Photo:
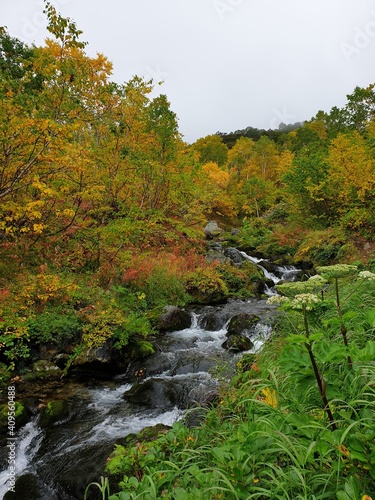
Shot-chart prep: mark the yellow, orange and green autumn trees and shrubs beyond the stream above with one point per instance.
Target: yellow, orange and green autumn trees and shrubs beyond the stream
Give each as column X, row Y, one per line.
column 103, row 204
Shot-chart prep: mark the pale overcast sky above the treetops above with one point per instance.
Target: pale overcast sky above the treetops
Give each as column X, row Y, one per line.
column 226, row 64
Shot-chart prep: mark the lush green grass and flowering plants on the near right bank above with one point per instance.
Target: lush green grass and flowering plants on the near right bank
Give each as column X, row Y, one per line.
column 270, row 436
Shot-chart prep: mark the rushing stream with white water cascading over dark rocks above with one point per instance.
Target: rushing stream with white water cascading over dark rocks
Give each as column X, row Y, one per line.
column 57, row 463
